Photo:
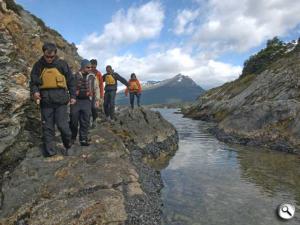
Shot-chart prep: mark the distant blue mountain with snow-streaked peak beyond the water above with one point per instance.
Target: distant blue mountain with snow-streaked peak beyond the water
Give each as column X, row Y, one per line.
column 177, row 89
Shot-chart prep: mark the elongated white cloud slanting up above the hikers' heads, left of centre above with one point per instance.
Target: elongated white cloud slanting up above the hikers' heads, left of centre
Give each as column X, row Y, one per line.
column 137, row 23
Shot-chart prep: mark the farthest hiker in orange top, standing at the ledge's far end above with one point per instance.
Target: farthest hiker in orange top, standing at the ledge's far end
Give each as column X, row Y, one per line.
column 134, row 88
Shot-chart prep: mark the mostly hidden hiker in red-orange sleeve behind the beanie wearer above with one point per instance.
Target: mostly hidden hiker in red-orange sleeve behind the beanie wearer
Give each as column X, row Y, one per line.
column 98, row 75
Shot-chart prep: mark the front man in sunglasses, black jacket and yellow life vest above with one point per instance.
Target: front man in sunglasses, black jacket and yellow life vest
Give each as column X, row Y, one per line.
column 52, row 86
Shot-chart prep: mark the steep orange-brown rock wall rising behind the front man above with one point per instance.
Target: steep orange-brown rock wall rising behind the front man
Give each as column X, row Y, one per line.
column 21, row 38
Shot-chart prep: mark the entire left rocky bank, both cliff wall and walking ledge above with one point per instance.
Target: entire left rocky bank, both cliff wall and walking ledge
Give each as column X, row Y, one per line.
column 105, row 183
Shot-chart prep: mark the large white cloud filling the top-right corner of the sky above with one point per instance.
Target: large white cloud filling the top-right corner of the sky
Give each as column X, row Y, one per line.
column 238, row 25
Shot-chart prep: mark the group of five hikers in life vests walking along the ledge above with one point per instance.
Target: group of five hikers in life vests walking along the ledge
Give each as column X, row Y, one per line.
column 53, row 86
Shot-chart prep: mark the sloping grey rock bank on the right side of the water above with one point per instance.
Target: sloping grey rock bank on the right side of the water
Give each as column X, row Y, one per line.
column 257, row 109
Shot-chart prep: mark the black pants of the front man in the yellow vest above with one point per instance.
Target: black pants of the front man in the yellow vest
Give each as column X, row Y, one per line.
column 56, row 114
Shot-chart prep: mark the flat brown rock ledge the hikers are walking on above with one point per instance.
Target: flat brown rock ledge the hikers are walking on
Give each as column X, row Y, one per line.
column 104, row 183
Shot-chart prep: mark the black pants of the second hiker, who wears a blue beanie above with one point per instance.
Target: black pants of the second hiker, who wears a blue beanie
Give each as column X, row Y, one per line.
column 80, row 115
